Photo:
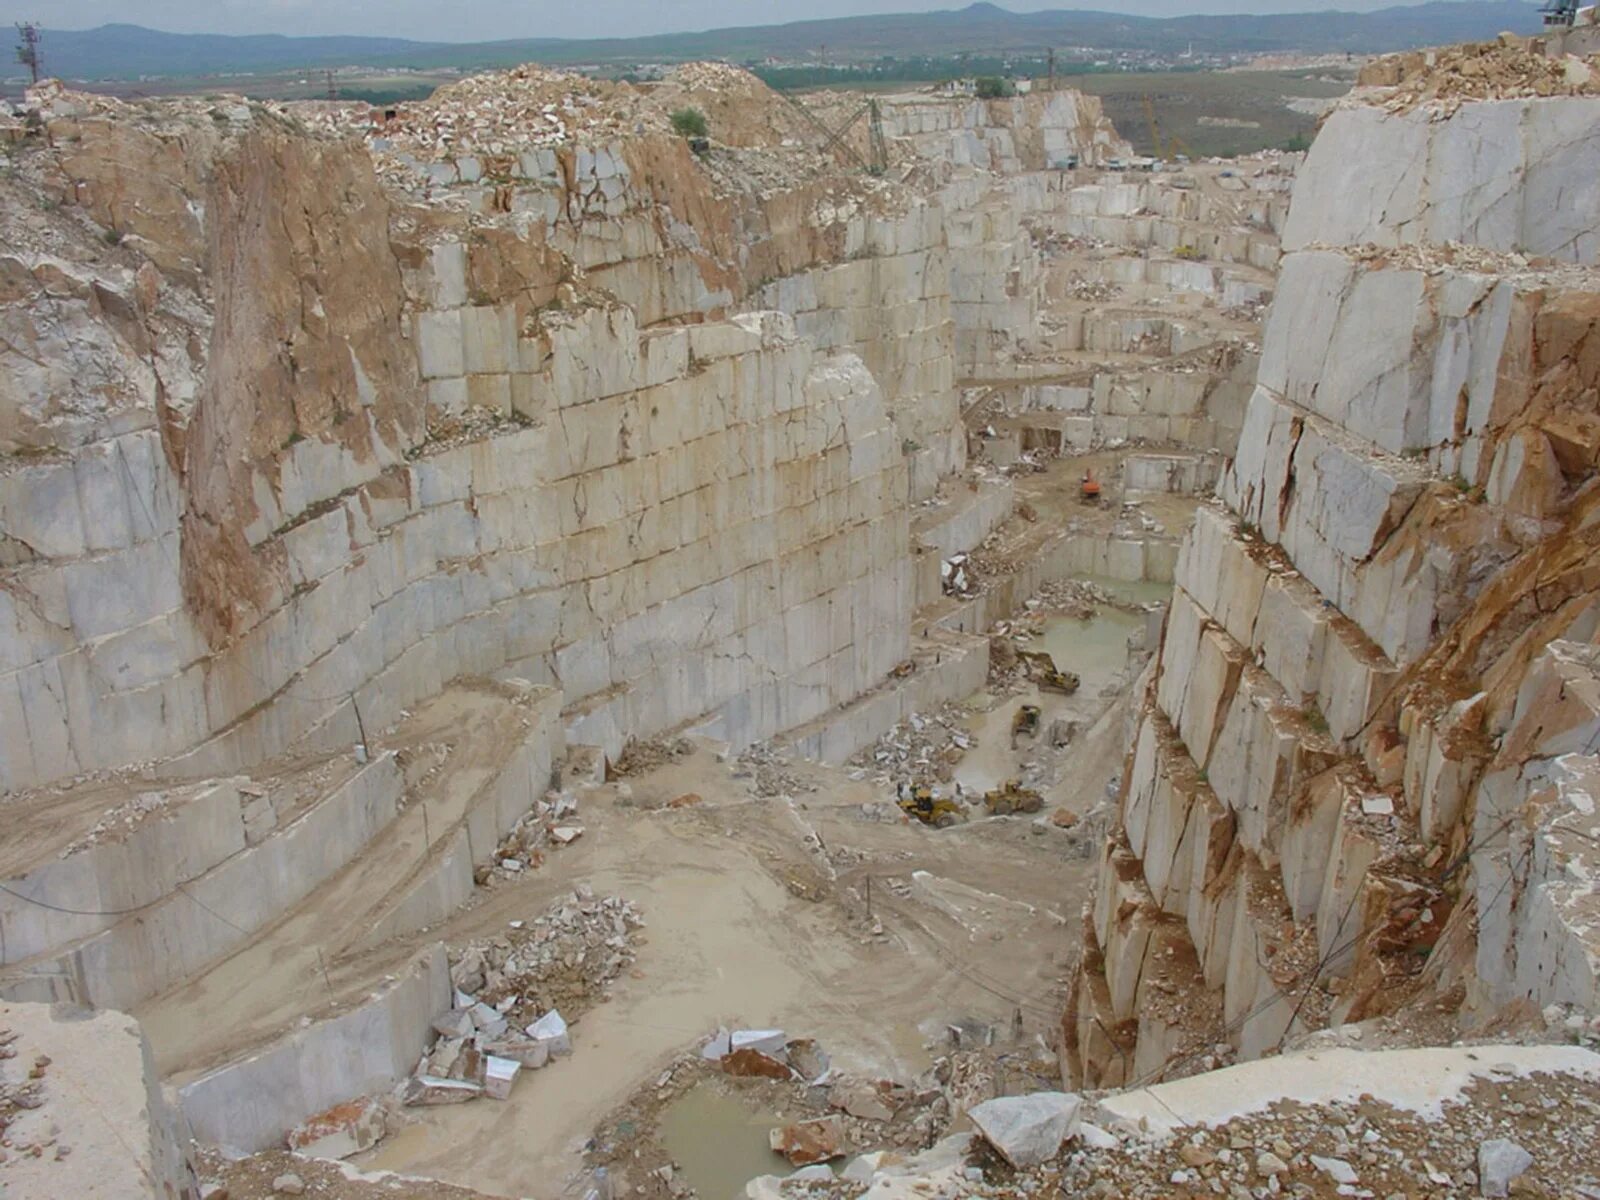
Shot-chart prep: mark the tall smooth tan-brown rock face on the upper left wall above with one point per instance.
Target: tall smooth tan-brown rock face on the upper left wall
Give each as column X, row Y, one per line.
column 308, row 343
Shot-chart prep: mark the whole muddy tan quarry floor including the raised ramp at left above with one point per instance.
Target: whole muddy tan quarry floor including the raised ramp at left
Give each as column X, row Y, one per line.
column 810, row 905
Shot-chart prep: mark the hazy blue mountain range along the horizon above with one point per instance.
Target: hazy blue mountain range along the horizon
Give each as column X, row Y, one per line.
column 132, row 52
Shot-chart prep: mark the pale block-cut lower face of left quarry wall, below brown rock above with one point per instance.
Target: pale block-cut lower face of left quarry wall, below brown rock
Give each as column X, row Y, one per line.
column 679, row 522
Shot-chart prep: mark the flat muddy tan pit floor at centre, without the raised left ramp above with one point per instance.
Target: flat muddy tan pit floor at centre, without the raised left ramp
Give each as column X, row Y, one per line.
column 751, row 924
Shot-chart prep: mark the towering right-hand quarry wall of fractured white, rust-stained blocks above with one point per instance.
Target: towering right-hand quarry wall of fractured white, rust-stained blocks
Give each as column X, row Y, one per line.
column 1337, row 775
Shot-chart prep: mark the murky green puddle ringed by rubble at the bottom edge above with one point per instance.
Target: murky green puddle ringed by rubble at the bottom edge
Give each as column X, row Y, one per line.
column 719, row 1142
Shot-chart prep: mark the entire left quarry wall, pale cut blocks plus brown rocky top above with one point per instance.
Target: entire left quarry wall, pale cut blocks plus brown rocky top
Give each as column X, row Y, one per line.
column 585, row 414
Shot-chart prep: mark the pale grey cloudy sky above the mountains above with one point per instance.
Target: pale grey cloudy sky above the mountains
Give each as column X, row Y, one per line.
column 489, row 20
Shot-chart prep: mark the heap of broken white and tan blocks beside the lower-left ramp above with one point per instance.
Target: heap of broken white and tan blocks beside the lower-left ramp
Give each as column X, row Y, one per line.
column 511, row 993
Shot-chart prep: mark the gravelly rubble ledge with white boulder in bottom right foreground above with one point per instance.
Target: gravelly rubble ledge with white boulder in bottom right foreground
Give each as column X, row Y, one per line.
column 1513, row 1134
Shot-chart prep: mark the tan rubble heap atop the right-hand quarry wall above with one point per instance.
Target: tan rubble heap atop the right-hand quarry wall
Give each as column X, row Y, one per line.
column 1505, row 70
